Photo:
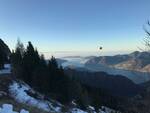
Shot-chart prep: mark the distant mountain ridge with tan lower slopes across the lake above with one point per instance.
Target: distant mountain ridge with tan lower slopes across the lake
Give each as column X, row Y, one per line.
column 136, row 61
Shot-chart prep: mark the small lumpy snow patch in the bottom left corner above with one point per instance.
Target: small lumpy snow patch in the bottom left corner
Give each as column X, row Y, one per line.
column 8, row 108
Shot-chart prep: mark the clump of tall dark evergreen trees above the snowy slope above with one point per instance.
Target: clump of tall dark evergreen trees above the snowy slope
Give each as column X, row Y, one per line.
column 48, row 78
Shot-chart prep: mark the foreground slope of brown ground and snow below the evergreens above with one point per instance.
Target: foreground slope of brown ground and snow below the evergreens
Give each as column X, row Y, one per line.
column 21, row 96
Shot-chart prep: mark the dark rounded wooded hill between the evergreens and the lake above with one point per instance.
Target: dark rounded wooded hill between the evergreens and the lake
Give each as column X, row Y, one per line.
column 116, row 85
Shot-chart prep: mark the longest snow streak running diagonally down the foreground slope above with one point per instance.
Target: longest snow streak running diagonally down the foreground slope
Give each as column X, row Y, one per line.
column 19, row 92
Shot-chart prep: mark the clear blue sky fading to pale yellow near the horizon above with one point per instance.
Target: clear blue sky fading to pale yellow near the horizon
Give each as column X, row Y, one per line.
column 75, row 27
